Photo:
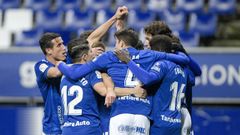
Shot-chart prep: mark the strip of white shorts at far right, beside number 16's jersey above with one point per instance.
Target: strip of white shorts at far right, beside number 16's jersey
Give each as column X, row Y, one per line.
column 186, row 121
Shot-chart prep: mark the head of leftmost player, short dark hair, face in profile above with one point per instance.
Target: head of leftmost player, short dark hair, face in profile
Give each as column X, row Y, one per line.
column 52, row 46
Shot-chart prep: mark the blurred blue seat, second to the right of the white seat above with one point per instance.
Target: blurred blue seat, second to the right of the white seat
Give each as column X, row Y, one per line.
column 76, row 19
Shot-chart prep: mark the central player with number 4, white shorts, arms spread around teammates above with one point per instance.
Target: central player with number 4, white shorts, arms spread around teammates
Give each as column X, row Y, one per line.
column 134, row 118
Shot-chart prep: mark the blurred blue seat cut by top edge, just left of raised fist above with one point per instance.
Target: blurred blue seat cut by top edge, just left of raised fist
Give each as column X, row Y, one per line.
column 97, row 5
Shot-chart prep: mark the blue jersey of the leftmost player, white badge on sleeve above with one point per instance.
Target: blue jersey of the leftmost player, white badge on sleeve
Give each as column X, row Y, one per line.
column 50, row 90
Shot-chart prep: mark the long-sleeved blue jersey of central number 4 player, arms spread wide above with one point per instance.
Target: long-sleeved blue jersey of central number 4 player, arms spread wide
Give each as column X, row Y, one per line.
column 122, row 76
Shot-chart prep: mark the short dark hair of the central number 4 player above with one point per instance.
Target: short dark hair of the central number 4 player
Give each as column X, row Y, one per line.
column 129, row 36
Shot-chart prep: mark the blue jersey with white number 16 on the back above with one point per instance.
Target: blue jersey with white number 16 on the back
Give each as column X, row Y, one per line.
column 168, row 98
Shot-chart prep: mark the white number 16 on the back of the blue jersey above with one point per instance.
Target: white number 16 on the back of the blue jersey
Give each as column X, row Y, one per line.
column 177, row 96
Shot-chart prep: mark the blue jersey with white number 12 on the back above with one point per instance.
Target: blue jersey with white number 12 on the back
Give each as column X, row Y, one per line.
column 81, row 115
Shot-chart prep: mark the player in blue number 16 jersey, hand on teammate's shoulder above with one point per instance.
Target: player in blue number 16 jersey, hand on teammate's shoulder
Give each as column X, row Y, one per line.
column 170, row 79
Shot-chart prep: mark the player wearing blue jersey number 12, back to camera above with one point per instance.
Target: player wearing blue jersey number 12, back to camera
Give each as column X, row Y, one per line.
column 81, row 114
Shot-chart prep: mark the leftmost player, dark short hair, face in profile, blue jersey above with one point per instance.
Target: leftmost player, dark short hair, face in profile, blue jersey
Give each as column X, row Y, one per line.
column 48, row 80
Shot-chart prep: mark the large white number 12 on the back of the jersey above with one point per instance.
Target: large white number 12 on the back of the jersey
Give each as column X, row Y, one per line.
column 69, row 108
